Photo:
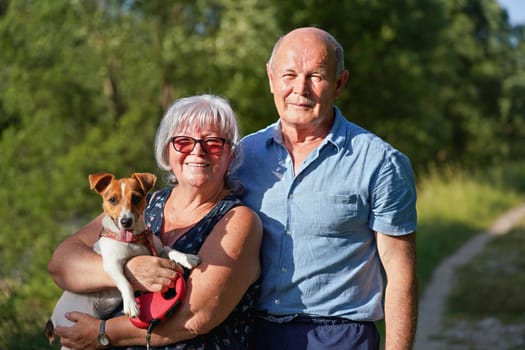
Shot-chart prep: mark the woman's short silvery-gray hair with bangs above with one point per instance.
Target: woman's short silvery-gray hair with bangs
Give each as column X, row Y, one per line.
column 199, row 111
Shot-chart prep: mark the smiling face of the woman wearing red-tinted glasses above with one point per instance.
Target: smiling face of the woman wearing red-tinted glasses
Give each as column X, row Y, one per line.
column 199, row 168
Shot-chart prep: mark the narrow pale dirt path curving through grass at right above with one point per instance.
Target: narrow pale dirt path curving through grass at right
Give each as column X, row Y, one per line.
column 432, row 304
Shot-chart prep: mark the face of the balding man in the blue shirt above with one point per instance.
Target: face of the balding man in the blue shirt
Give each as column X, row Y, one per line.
column 303, row 80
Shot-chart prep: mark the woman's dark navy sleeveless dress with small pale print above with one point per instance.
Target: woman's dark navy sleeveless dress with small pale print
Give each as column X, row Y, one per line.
column 236, row 331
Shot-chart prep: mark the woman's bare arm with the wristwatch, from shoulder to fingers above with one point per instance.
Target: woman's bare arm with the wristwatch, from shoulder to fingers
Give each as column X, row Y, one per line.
column 230, row 264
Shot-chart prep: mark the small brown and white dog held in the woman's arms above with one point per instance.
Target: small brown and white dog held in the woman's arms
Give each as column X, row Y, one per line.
column 123, row 237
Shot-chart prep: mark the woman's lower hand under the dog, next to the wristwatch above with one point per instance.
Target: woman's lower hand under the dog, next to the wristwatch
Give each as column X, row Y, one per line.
column 82, row 335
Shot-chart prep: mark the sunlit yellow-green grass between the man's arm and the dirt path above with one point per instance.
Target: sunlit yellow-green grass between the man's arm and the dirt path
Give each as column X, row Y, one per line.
column 453, row 205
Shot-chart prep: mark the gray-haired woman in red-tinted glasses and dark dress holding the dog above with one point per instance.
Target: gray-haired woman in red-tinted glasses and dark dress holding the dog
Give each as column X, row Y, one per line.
column 197, row 213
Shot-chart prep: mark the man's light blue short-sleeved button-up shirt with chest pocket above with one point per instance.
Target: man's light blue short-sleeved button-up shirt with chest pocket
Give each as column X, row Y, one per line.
column 319, row 254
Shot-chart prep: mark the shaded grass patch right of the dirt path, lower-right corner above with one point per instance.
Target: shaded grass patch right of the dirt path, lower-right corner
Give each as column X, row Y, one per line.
column 486, row 308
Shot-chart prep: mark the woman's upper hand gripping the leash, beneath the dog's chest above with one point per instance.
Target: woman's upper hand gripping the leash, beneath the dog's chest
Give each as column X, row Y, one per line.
column 151, row 273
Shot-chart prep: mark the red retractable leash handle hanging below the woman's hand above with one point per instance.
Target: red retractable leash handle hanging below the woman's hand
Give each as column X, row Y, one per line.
column 155, row 307
